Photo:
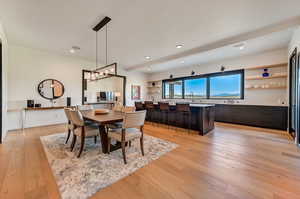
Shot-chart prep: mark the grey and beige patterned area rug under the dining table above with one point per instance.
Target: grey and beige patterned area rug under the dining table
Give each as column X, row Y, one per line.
column 82, row 177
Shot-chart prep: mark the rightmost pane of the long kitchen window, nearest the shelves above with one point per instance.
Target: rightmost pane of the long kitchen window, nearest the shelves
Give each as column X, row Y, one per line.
column 226, row 86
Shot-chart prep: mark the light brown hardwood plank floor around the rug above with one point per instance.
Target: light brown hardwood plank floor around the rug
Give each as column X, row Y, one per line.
column 231, row 162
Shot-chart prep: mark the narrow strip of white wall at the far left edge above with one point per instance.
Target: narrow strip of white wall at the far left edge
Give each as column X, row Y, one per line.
column 4, row 42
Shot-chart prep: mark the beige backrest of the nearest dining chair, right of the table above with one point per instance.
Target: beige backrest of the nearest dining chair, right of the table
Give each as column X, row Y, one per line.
column 134, row 119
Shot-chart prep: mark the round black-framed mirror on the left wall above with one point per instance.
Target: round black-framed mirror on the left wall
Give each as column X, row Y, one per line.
column 51, row 89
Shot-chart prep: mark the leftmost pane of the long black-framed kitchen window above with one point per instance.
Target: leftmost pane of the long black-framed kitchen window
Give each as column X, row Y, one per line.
column 173, row 89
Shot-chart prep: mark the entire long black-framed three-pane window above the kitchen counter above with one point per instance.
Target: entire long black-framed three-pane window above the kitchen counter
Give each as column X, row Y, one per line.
column 223, row 85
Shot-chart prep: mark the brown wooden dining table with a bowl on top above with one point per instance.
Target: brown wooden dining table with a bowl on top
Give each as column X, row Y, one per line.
column 102, row 120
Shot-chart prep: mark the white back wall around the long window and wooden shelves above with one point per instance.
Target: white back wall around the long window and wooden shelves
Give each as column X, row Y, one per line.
column 274, row 97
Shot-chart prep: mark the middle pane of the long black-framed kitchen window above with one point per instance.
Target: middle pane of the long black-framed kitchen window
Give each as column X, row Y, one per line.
column 195, row 88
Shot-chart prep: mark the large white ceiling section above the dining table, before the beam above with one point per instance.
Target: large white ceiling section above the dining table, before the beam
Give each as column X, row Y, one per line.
column 140, row 28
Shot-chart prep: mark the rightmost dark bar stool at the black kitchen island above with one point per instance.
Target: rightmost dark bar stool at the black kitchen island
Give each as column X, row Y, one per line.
column 184, row 113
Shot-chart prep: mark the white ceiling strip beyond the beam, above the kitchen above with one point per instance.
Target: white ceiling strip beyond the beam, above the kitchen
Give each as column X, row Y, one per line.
column 269, row 42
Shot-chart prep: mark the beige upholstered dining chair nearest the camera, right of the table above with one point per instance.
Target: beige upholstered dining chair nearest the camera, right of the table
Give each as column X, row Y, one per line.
column 132, row 128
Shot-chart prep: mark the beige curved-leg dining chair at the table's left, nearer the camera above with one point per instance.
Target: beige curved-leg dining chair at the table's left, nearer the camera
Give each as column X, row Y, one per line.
column 81, row 130
